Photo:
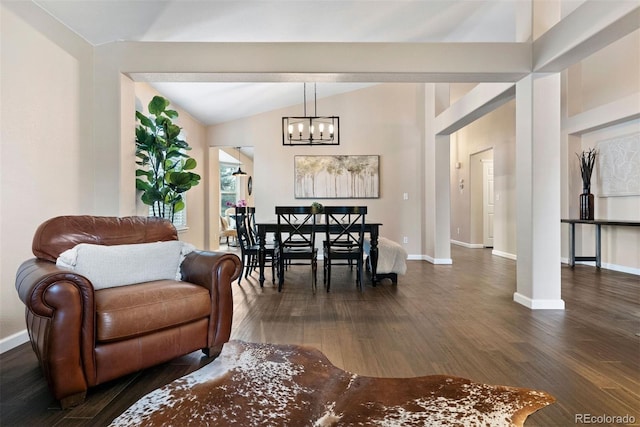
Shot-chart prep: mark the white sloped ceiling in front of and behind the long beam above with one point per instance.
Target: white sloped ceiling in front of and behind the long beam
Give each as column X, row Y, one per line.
column 105, row 21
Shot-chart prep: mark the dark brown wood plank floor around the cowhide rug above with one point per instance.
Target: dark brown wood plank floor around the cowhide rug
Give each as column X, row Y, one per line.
column 457, row 320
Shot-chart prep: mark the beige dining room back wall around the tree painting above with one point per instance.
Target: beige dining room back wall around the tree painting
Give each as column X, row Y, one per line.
column 381, row 120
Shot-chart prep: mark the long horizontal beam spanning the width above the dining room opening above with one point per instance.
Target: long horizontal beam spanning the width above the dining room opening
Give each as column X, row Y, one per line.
column 352, row 62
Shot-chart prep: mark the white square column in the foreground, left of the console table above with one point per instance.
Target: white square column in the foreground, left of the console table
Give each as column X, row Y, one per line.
column 538, row 157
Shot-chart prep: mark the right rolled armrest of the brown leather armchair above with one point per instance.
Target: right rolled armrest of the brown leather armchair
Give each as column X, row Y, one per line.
column 215, row 271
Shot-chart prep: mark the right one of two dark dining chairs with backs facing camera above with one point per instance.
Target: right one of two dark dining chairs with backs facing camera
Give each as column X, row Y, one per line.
column 344, row 239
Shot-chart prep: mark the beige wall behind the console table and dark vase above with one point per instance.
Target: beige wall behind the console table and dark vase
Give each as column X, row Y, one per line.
column 595, row 85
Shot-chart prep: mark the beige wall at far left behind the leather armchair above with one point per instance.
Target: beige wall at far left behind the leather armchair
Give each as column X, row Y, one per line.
column 45, row 167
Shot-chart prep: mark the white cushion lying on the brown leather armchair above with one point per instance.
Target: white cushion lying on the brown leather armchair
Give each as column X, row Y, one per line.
column 121, row 265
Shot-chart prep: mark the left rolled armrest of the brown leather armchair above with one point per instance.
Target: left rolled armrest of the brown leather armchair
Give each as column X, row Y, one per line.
column 60, row 316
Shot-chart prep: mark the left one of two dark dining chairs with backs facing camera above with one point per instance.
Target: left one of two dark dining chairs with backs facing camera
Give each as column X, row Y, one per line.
column 296, row 240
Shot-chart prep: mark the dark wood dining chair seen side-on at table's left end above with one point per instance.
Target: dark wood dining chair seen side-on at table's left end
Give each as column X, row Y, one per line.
column 249, row 246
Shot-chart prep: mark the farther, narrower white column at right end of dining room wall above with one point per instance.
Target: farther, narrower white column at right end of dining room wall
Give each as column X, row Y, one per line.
column 437, row 206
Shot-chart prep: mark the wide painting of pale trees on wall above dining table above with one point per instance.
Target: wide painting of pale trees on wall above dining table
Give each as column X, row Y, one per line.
column 337, row 176
